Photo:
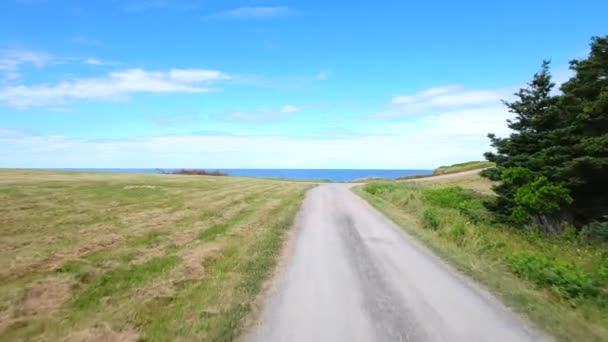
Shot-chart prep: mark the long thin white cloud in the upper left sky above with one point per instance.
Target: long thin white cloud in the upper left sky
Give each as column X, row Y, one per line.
column 115, row 86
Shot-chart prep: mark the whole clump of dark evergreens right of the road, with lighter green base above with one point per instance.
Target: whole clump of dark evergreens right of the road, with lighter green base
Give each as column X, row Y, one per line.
column 557, row 155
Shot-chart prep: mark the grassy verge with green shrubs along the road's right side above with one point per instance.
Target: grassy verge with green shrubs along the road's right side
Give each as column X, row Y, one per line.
column 559, row 283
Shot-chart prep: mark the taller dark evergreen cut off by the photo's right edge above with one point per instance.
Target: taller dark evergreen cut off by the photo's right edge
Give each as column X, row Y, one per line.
column 585, row 104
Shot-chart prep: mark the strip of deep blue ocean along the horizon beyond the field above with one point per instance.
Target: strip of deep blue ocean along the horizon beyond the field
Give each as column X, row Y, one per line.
column 333, row 175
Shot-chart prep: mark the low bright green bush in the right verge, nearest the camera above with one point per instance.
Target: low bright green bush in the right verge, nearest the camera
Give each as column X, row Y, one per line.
column 547, row 272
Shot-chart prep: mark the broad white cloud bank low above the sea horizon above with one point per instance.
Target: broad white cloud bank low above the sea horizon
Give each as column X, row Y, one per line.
column 448, row 137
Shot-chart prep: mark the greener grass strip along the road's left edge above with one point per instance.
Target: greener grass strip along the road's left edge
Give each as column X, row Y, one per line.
column 244, row 265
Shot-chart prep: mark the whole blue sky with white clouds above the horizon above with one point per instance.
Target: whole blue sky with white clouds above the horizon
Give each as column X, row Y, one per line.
column 271, row 84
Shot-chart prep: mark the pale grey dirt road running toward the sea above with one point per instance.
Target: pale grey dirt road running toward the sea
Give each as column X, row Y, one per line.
column 352, row 275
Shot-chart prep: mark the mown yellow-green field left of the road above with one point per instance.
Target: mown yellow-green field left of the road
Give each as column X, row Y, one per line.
column 86, row 256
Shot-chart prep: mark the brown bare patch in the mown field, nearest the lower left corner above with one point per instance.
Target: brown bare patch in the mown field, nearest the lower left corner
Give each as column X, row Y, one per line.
column 44, row 298
